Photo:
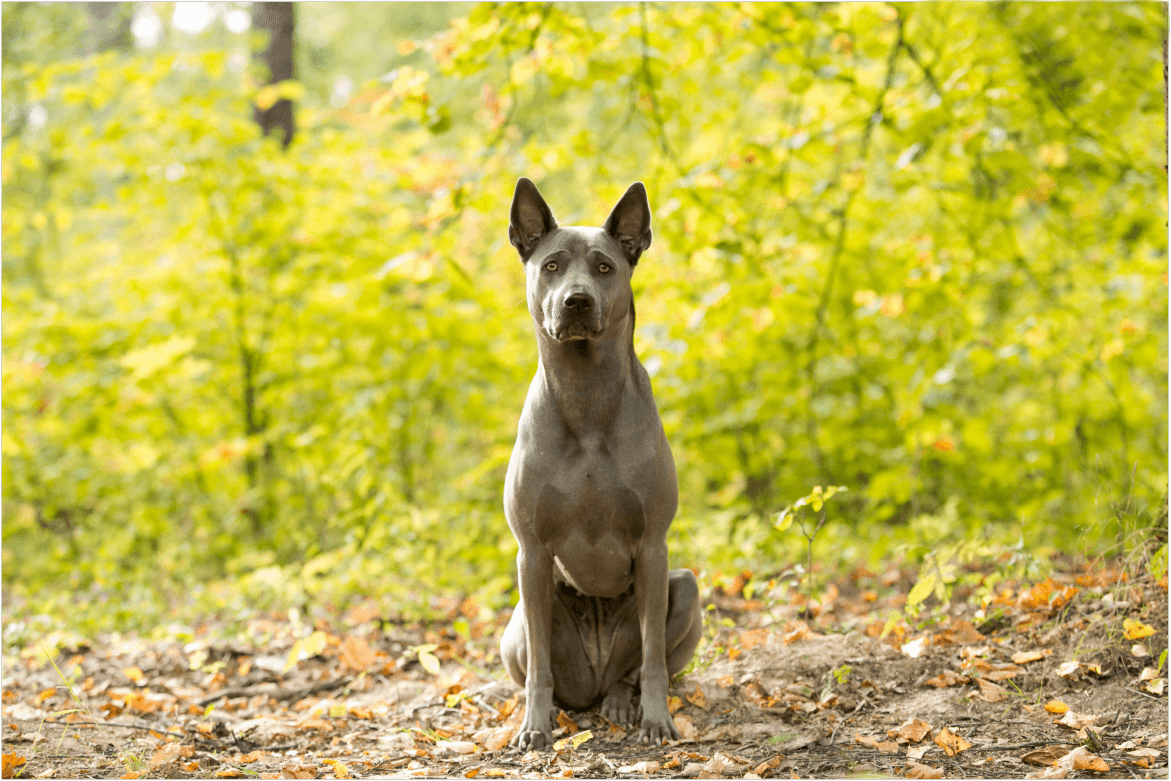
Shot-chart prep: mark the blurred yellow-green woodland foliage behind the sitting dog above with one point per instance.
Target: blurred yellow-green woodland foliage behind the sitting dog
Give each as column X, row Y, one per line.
column 265, row 341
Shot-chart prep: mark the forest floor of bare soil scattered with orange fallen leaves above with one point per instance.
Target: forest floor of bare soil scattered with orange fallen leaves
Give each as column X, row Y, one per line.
column 1062, row 679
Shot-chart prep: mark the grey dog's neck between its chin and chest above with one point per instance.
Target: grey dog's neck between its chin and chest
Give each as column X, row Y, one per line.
column 586, row 379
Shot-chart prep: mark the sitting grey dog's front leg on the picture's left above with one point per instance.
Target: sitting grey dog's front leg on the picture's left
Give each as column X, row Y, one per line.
column 536, row 579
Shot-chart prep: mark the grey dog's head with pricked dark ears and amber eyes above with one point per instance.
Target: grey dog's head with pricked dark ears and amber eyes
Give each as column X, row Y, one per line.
column 578, row 279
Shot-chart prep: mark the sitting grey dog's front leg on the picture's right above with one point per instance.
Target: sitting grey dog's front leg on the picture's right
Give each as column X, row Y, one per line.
column 652, row 592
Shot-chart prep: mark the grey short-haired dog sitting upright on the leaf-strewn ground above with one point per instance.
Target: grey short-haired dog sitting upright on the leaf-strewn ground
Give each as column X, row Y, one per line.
column 592, row 488
